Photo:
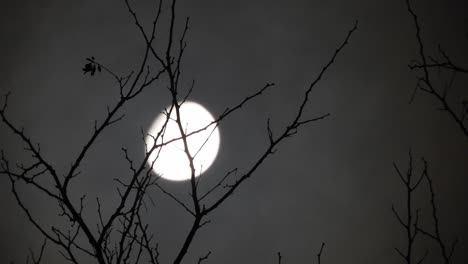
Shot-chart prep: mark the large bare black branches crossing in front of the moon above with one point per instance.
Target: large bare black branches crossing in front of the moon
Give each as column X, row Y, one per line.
column 123, row 235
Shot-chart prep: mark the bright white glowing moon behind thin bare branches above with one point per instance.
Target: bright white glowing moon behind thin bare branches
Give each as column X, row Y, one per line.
column 172, row 162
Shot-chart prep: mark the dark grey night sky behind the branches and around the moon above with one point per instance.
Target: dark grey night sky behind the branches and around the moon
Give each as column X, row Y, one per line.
column 333, row 182
